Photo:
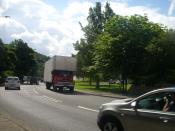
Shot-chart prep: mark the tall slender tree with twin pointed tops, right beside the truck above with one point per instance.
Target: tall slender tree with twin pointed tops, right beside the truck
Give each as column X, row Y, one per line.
column 85, row 47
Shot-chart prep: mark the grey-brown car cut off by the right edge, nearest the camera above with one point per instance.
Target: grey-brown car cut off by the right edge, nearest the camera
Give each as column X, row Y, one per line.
column 144, row 113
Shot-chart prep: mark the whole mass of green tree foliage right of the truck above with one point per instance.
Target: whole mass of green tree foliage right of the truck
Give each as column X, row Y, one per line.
column 126, row 47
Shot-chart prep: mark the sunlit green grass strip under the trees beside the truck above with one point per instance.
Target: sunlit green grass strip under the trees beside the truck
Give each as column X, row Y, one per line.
column 104, row 87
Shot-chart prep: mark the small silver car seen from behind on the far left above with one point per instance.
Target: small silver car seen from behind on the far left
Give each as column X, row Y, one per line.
column 12, row 82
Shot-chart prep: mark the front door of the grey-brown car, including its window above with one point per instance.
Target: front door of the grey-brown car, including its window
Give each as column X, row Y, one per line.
column 148, row 115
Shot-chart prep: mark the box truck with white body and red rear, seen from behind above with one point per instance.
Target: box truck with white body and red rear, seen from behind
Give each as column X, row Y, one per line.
column 59, row 72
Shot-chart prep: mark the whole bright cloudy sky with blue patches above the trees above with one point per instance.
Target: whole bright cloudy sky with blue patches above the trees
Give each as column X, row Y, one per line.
column 51, row 27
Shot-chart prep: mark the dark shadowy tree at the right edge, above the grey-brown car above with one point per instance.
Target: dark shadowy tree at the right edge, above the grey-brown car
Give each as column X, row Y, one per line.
column 161, row 59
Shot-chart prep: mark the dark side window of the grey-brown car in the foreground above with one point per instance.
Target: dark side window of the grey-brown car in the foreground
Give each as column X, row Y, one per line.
column 155, row 102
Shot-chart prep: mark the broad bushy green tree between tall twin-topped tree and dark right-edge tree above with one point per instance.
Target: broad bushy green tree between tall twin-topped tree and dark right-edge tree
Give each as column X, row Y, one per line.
column 122, row 47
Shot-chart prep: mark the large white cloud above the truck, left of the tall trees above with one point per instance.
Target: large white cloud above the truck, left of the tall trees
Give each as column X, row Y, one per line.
column 46, row 29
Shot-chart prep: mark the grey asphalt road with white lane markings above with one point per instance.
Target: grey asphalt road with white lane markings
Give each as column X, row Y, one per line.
column 36, row 109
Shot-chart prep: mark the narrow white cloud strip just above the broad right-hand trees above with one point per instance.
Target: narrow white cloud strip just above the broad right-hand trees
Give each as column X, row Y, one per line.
column 122, row 8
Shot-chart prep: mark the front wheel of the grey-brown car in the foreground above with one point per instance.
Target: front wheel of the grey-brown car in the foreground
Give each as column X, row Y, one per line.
column 110, row 125
